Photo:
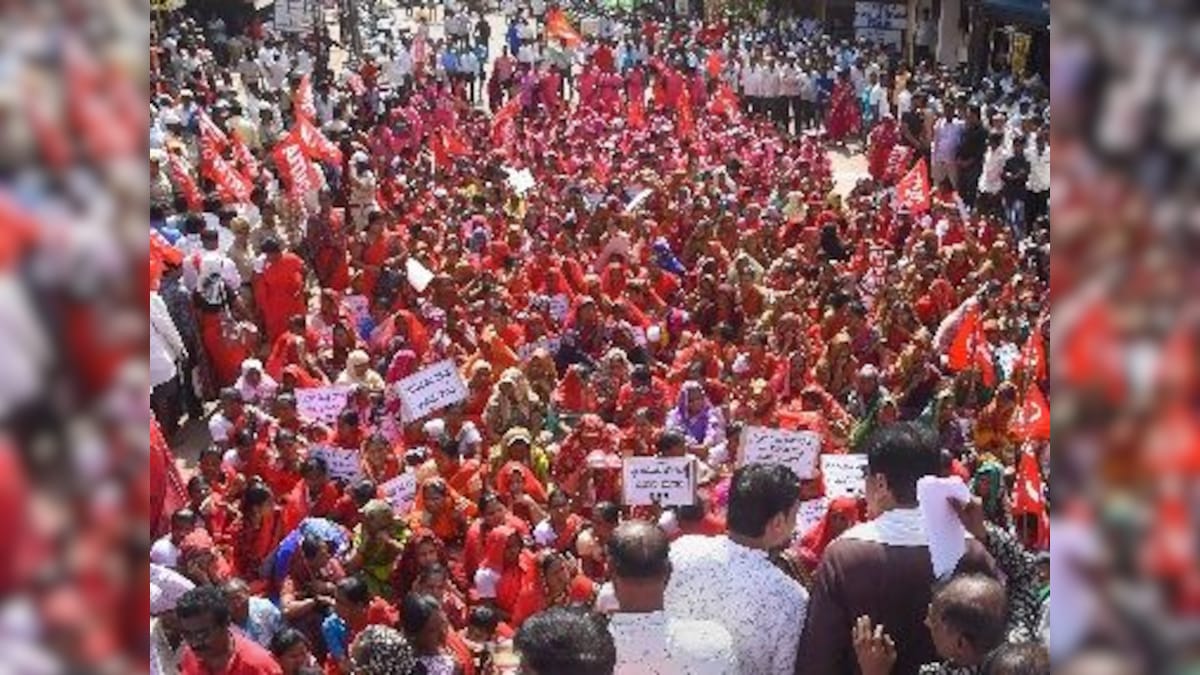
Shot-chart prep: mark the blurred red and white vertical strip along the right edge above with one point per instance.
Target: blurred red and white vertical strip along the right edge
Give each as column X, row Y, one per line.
column 1126, row 337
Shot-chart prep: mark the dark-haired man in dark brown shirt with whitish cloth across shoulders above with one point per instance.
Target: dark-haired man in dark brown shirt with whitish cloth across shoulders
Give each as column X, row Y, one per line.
column 881, row 569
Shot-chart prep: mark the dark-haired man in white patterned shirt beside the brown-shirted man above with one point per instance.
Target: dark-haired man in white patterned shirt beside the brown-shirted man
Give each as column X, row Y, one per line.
column 731, row 581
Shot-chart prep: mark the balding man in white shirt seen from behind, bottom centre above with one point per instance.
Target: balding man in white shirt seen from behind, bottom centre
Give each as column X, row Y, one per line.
column 649, row 641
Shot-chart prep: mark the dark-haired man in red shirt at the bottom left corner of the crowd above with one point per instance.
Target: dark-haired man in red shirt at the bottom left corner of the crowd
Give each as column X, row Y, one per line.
column 213, row 646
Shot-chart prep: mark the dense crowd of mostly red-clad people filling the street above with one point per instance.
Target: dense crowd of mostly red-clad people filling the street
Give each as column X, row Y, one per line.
column 627, row 240
